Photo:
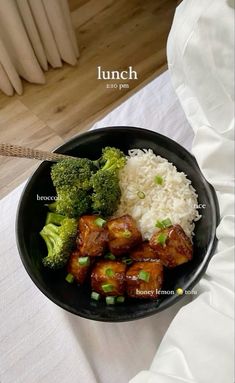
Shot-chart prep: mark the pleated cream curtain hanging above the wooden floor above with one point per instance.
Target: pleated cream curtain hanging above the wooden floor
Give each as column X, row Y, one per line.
column 33, row 34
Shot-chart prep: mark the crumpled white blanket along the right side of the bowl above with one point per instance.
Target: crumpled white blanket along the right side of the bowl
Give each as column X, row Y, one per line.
column 198, row 346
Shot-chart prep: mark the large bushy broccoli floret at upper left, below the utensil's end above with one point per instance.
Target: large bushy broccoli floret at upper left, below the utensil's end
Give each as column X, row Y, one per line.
column 71, row 179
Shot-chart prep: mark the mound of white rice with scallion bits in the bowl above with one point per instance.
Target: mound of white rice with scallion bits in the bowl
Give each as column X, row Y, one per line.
column 175, row 199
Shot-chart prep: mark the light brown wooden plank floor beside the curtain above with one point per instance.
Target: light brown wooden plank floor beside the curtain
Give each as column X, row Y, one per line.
column 113, row 34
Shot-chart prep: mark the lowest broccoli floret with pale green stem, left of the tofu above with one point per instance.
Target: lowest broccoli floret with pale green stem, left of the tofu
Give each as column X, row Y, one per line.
column 59, row 239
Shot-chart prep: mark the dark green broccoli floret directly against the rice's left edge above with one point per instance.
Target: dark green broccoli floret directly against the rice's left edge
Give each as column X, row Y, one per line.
column 106, row 192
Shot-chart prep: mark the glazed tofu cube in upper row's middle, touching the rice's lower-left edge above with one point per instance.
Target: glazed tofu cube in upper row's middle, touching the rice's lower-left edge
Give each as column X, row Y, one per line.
column 123, row 234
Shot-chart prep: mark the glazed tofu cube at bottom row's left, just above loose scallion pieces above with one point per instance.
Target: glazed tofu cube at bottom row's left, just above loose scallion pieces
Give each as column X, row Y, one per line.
column 108, row 278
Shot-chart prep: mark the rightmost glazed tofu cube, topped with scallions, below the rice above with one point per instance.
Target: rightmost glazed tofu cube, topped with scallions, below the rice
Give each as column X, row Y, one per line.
column 172, row 246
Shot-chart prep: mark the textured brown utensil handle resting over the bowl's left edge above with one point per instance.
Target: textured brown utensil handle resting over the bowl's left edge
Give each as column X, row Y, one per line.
column 21, row 151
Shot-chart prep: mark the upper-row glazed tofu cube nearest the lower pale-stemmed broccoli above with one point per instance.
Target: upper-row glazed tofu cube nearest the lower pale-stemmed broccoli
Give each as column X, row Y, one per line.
column 92, row 239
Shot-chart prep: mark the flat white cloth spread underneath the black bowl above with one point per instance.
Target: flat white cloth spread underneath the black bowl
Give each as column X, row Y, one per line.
column 40, row 342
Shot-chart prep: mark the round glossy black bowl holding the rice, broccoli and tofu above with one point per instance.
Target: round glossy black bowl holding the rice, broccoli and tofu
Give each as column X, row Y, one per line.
column 32, row 212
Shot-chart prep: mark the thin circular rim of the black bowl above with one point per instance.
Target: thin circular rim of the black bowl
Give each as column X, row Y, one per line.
column 173, row 299
